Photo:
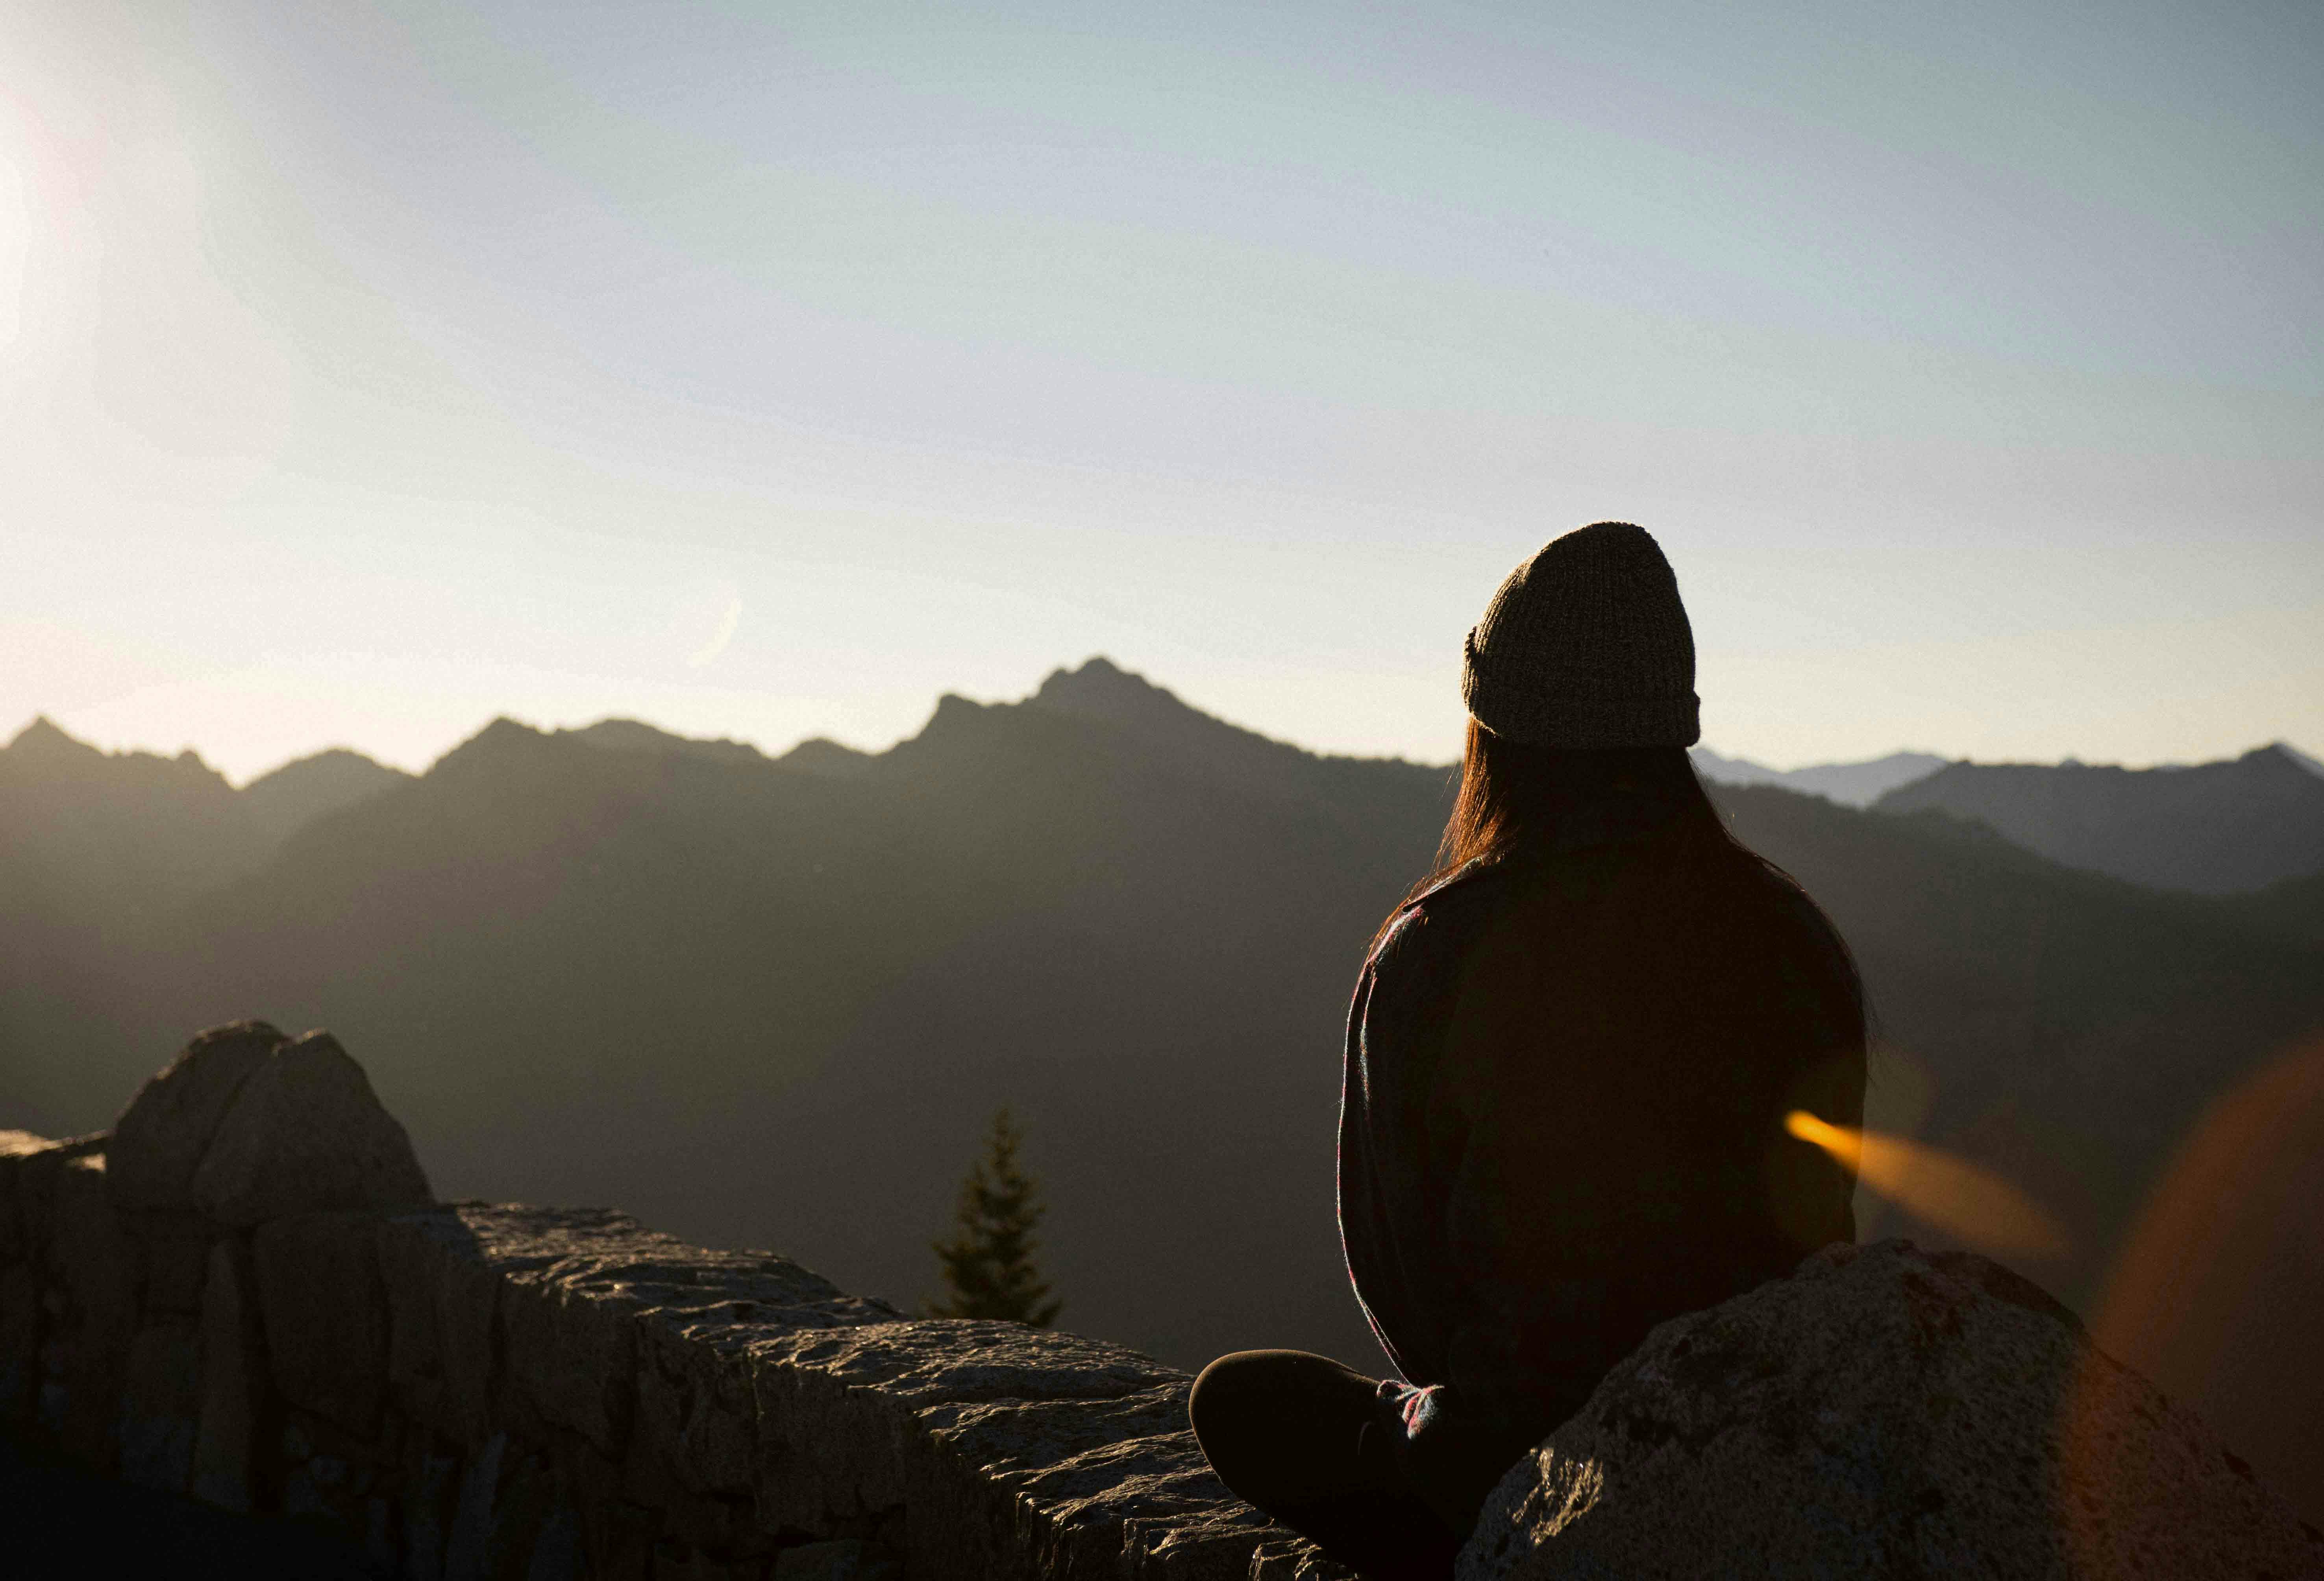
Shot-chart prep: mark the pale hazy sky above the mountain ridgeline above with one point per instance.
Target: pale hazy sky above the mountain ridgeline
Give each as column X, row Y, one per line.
column 768, row 371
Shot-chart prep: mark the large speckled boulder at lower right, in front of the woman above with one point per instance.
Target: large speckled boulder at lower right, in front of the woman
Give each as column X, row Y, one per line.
column 1884, row 1412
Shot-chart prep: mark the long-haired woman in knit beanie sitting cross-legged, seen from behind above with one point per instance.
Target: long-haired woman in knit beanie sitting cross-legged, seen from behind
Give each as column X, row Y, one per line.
column 1570, row 1064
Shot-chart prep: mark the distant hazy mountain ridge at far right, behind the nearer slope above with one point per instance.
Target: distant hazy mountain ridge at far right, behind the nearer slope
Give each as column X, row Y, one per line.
column 2214, row 829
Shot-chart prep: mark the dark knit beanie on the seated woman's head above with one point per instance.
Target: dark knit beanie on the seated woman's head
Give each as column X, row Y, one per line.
column 1586, row 645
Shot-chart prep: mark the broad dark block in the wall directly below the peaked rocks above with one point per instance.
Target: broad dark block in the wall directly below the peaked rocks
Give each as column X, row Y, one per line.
column 324, row 1315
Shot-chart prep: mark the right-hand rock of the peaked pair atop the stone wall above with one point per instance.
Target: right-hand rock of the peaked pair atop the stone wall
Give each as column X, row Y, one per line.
column 306, row 1136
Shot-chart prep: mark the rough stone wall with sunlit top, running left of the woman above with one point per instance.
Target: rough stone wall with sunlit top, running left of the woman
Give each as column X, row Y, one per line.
column 248, row 1296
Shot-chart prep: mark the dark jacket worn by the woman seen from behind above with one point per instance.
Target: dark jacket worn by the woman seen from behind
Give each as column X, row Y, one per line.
column 1563, row 1124
